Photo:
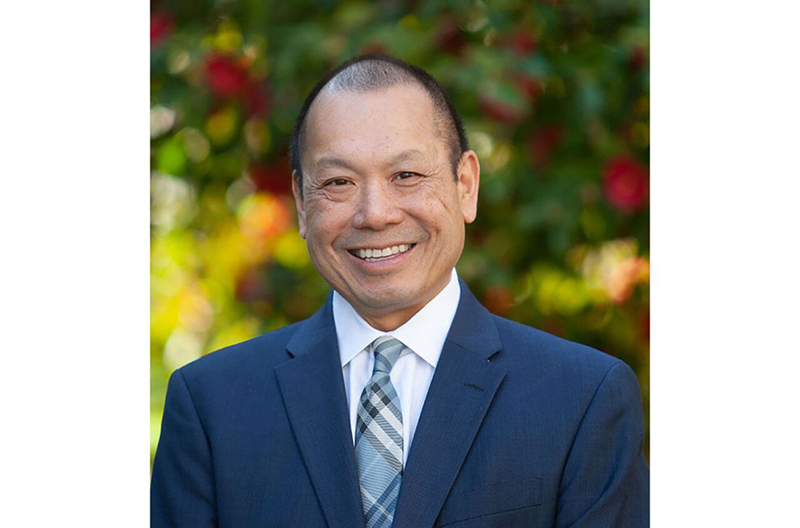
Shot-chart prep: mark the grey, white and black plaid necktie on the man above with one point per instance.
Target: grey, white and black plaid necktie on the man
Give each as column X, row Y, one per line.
column 379, row 437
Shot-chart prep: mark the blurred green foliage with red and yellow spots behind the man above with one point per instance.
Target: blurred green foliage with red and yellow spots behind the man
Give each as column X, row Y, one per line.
column 554, row 97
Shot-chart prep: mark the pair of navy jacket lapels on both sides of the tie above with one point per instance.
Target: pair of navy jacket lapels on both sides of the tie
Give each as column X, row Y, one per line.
column 463, row 386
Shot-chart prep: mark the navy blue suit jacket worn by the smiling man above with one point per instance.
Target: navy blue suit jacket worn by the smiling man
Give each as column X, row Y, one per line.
column 519, row 428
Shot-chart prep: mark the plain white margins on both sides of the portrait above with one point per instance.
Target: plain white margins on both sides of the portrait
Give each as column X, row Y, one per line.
column 75, row 287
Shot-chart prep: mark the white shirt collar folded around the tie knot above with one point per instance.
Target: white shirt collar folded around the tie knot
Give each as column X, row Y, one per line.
column 424, row 333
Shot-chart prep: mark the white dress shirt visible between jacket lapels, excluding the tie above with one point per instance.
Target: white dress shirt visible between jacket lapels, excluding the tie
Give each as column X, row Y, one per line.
column 423, row 335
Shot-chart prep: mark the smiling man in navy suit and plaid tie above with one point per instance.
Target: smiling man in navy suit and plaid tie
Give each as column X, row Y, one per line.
column 402, row 402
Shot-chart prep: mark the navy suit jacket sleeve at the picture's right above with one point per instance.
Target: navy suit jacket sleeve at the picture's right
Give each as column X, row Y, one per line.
column 606, row 481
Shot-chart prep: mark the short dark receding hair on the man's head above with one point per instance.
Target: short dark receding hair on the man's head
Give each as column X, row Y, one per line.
column 371, row 72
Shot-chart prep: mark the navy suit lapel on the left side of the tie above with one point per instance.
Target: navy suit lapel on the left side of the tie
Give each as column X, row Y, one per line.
column 313, row 393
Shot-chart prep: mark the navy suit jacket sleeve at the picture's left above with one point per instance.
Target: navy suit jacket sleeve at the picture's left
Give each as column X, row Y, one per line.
column 182, row 489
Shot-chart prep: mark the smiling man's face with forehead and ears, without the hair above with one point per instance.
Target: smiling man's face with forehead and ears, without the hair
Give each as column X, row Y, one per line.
column 381, row 212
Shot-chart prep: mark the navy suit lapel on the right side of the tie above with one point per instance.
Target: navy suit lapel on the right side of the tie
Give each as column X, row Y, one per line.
column 461, row 392
